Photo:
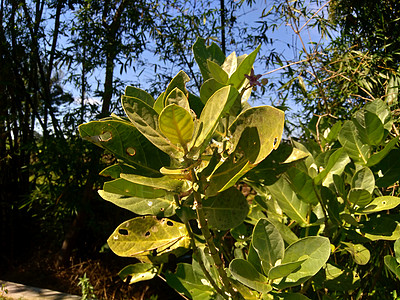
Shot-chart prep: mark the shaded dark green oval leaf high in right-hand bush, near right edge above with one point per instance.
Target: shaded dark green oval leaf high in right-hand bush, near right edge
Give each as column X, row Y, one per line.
column 369, row 127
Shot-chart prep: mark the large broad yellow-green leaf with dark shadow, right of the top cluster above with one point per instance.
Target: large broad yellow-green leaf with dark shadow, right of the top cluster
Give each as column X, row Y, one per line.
column 268, row 124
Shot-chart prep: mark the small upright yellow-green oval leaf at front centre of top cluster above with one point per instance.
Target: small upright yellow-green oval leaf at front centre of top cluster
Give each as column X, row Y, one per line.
column 176, row 124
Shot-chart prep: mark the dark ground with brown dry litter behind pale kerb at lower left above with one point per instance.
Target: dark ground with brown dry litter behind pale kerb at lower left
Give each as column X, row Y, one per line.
column 40, row 271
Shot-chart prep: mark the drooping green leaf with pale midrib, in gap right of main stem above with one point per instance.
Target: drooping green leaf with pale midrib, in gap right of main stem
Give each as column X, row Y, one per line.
column 291, row 205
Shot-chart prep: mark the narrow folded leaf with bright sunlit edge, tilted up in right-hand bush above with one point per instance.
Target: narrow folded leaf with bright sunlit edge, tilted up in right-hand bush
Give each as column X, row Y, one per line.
column 337, row 161
